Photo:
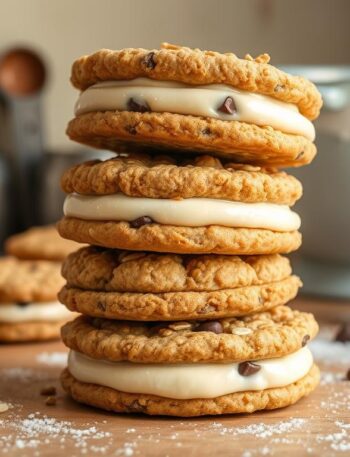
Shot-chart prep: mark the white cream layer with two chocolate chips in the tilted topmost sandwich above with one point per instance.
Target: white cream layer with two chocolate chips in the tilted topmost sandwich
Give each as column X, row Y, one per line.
column 174, row 97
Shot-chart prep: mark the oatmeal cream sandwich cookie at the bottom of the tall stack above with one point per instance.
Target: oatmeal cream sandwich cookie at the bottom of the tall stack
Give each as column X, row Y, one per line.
column 236, row 365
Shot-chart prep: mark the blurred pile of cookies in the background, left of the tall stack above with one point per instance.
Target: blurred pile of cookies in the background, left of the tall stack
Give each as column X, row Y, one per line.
column 29, row 283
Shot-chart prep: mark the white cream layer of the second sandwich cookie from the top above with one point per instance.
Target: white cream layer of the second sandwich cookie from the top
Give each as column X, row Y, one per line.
column 189, row 212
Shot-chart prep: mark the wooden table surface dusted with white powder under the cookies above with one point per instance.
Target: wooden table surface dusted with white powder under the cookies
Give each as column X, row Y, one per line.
column 317, row 425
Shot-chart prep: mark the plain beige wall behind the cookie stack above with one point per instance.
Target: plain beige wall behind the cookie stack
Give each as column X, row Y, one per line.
column 292, row 31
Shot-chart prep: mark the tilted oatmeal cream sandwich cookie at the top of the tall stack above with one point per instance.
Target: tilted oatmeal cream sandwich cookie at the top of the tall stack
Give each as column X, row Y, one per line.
column 183, row 99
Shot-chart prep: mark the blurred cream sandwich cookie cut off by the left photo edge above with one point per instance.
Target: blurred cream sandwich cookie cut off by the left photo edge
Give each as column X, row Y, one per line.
column 29, row 309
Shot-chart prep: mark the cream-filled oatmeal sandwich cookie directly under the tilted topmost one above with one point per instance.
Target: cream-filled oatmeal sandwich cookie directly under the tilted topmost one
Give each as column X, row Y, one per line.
column 201, row 206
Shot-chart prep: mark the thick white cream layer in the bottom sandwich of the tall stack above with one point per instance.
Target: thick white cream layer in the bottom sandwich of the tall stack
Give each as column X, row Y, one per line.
column 185, row 381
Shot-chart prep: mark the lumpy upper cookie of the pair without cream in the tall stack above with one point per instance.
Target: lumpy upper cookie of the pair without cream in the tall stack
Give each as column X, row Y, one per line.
column 111, row 270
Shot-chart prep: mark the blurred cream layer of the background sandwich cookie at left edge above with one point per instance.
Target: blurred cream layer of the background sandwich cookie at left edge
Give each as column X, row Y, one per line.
column 48, row 311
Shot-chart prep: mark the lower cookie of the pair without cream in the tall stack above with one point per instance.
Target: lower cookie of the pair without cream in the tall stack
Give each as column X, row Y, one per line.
column 180, row 305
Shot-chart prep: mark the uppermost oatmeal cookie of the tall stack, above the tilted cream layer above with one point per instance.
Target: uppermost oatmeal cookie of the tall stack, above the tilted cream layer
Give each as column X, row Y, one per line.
column 193, row 66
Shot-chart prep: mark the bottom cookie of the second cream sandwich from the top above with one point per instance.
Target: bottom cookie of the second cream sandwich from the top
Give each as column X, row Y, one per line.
column 212, row 239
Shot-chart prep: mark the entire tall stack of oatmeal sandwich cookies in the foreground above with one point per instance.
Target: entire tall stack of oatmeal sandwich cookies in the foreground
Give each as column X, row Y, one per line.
column 184, row 291
